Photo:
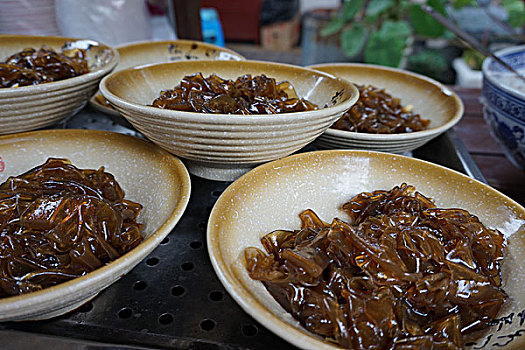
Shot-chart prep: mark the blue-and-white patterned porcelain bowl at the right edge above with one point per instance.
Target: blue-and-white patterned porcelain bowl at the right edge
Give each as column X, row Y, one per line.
column 504, row 103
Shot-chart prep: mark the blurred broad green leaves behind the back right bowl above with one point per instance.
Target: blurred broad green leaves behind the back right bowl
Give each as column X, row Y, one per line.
column 382, row 30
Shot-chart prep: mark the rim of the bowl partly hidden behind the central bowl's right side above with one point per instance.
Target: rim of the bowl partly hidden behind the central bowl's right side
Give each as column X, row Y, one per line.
column 402, row 136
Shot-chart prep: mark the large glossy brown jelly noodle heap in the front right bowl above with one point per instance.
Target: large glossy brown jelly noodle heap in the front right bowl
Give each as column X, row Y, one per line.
column 401, row 273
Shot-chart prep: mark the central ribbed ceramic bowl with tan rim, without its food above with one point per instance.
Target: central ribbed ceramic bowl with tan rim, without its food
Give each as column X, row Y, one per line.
column 223, row 146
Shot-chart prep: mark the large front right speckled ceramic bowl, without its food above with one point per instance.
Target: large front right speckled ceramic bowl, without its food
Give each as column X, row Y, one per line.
column 271, row 196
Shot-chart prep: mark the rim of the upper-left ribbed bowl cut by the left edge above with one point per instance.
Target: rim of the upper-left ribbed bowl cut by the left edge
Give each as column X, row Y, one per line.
column 57, row 85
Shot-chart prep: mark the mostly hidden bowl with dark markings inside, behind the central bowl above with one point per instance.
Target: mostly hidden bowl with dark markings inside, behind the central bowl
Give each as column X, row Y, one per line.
column 149, row 52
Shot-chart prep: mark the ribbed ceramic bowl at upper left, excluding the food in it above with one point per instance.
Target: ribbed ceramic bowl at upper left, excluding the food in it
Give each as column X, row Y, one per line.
column 36, row 106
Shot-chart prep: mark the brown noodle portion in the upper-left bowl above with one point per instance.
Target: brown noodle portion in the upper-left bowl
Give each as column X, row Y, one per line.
column 32, row 67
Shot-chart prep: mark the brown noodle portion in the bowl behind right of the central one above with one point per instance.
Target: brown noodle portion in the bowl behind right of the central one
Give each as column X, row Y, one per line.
column 377, row 112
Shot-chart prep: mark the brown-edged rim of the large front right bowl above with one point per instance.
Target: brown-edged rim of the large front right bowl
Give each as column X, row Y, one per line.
column 298, row 336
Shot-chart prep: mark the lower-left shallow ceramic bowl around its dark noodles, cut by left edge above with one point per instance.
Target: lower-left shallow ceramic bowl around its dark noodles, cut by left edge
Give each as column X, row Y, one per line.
column 147, row 174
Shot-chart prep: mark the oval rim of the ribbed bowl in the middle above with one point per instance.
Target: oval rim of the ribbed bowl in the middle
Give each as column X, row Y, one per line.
column 234, row 119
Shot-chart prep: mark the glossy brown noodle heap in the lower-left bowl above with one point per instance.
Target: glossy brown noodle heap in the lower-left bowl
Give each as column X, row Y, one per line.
column 58, row 222
